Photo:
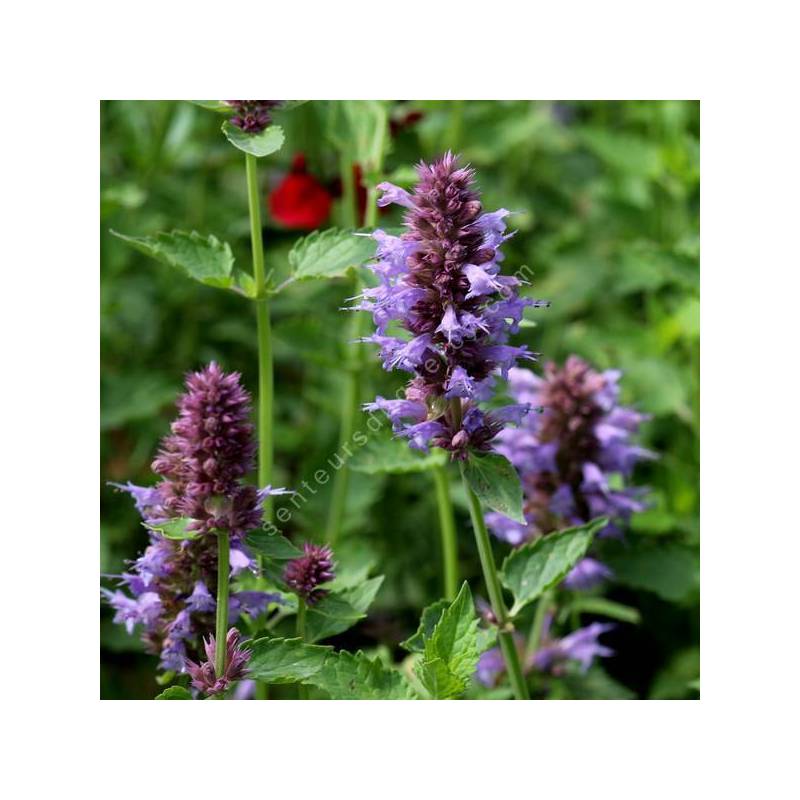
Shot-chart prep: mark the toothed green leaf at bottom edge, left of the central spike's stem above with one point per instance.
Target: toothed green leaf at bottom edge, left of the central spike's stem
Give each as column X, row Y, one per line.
column 355, row 677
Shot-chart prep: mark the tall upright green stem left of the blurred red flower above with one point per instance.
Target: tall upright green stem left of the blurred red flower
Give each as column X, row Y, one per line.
column 264, row 334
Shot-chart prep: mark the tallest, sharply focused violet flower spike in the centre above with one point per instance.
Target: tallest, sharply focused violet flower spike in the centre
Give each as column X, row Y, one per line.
column 440, row 281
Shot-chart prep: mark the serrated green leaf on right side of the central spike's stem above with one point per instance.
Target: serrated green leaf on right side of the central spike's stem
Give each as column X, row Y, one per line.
column 540, row 564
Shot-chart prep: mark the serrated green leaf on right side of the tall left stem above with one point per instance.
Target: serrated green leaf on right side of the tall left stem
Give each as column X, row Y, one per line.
column 329, row 254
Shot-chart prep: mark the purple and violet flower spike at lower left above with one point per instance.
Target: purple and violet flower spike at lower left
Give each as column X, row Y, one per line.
column 172, row 585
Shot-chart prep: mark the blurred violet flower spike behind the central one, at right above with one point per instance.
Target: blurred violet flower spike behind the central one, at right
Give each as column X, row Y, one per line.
column 567, row 454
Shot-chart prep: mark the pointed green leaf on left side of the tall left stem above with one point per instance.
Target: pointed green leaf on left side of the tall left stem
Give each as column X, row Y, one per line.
column 204, row 259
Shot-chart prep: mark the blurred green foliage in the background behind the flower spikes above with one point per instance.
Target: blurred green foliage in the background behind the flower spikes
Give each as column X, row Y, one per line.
column 606, row 196
